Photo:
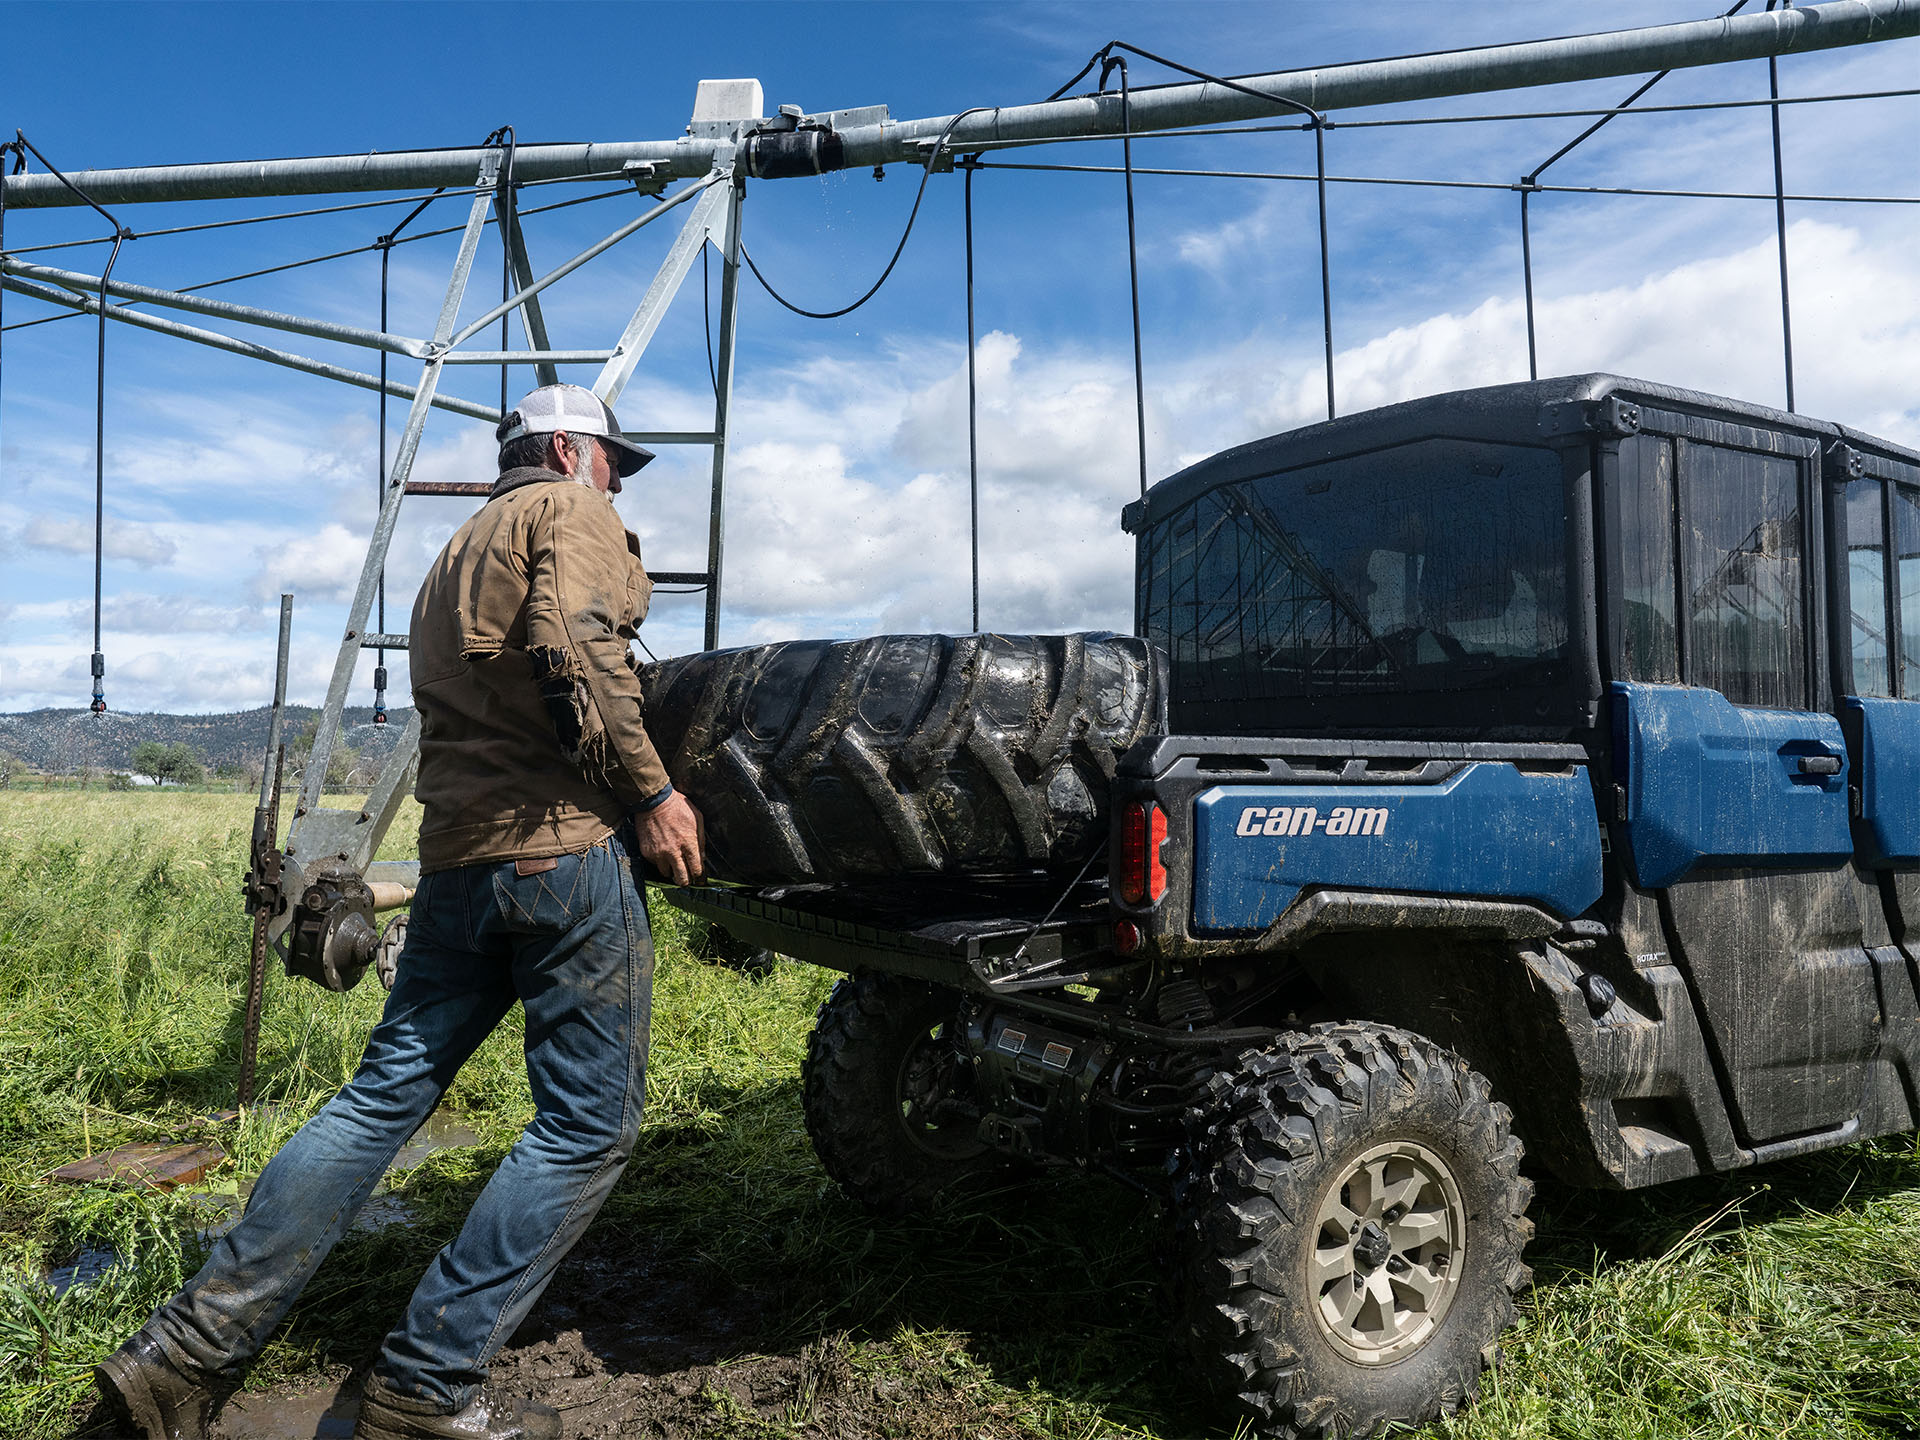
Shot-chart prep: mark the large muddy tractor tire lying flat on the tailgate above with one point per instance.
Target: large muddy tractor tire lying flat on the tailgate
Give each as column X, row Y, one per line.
column 819, row 761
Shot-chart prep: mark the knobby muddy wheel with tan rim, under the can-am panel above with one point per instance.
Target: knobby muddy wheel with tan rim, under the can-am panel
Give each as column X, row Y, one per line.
column 1312, row 1307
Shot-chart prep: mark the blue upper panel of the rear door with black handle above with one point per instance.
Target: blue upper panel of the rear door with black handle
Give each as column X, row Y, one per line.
column 1716, row 784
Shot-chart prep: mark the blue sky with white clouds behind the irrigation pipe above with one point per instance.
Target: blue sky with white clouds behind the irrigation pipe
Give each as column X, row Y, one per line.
column 848, row 485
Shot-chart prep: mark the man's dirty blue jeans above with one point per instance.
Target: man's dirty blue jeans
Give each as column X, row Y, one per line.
column 573, row 948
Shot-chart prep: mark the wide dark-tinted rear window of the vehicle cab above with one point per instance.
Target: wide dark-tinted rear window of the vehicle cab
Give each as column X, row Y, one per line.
column 1431, row 567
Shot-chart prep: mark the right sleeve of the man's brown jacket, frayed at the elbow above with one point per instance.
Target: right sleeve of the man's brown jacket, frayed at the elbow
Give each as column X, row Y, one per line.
column 587, row 596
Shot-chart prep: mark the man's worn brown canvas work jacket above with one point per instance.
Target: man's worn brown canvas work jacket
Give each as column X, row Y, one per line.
column 533, row 738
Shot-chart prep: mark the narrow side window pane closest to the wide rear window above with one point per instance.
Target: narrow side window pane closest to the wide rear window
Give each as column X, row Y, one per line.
column 1644, row 542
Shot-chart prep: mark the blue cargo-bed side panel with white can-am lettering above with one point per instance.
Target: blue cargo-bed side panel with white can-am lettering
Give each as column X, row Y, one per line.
column 1489, row 832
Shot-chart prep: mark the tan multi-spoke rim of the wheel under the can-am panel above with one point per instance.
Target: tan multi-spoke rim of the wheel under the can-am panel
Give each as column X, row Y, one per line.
column 1389, row 1249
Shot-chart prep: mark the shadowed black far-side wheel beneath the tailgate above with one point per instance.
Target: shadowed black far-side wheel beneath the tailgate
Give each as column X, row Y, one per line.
column 880, row 1063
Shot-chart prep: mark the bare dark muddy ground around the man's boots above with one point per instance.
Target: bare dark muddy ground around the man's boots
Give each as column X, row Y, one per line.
column 656, row 1349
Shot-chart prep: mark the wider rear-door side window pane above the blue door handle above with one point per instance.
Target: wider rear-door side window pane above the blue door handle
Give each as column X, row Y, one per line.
column 1746, row 610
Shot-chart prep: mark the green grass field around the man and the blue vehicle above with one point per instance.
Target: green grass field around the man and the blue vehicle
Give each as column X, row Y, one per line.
column 1781, row 1303
